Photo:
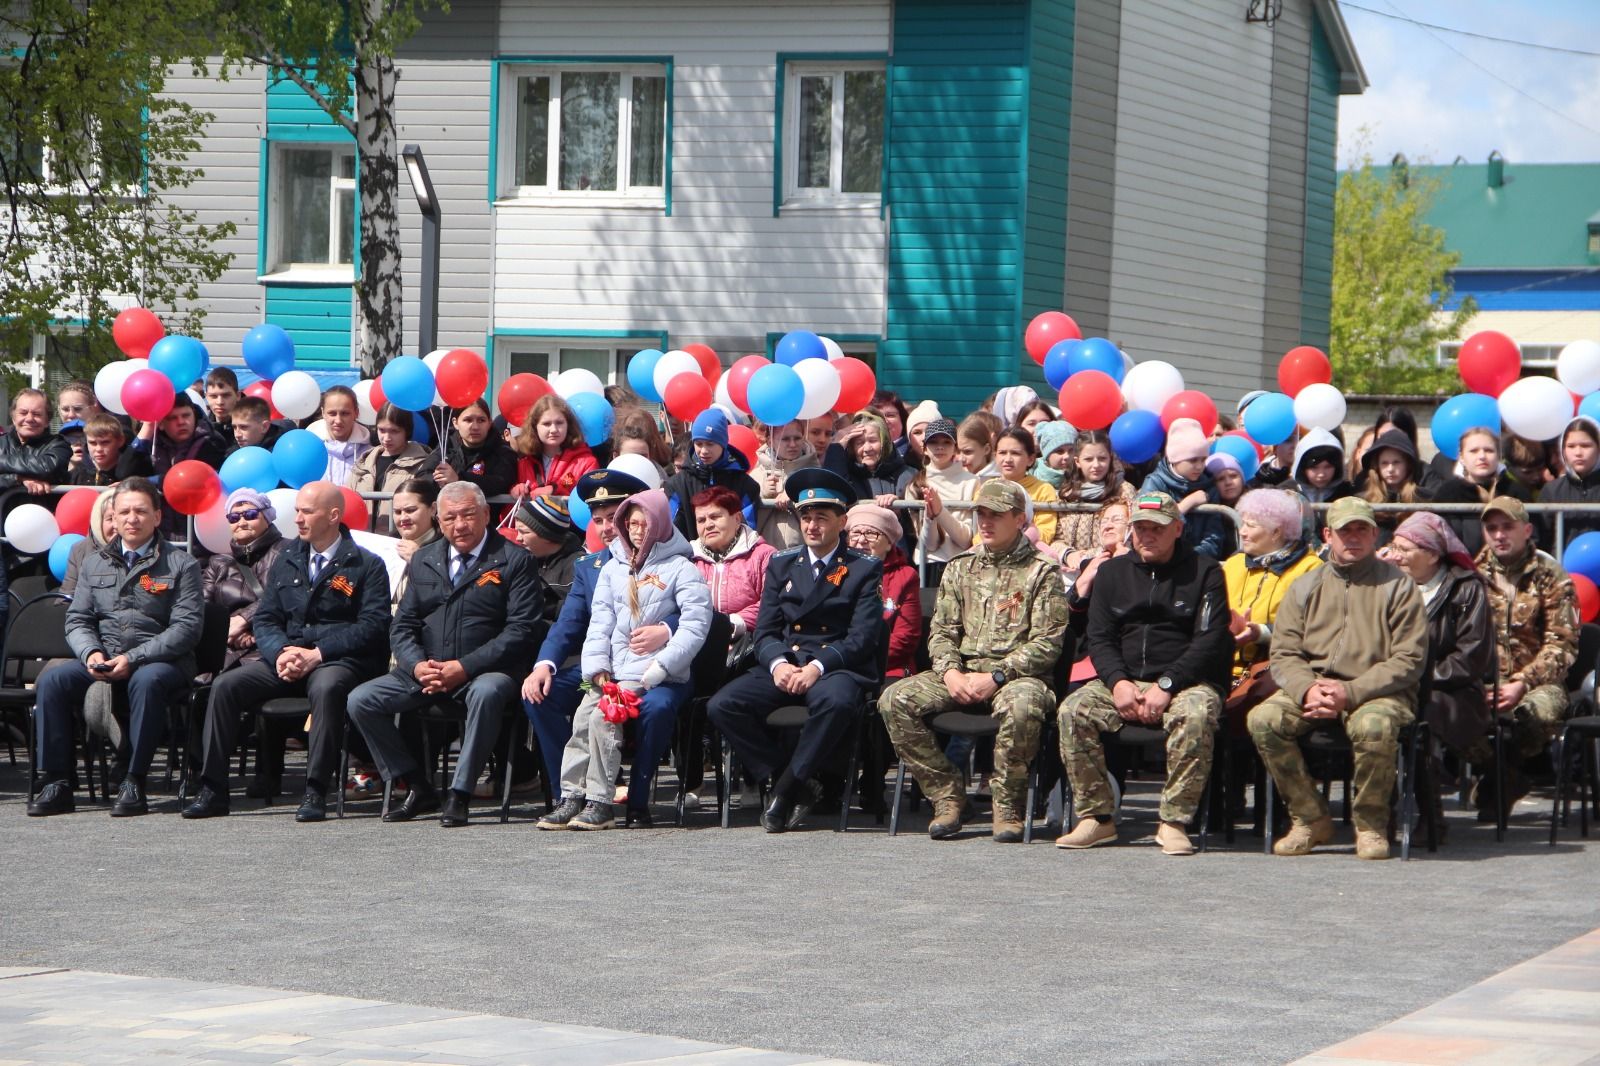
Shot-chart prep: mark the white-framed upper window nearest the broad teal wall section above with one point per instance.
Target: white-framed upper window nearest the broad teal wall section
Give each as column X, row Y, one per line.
column 834, row 132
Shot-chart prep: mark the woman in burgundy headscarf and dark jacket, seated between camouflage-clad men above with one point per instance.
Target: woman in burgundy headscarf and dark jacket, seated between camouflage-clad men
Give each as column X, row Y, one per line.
column 1460, row 635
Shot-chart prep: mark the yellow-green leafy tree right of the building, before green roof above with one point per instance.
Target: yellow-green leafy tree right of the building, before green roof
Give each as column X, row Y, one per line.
column 1391, row 281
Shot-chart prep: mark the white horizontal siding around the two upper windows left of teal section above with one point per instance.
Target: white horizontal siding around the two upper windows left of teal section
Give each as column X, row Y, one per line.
column 721, row 270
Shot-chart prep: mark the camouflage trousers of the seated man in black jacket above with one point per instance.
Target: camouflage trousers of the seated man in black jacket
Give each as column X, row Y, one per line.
column 1190, row 724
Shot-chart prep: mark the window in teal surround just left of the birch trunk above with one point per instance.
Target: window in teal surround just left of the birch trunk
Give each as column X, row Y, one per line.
column 311, row 217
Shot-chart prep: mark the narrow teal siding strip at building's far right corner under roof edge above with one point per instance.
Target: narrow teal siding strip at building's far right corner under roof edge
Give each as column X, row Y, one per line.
column 1322, row 127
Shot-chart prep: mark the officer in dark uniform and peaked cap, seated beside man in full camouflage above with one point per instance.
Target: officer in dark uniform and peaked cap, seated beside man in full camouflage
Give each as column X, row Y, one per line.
column 817, row 643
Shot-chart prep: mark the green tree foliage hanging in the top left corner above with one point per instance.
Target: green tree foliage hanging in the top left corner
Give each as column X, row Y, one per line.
column 89, row 151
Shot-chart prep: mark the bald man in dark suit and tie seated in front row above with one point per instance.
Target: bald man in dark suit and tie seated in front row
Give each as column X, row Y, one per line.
column 322, row 630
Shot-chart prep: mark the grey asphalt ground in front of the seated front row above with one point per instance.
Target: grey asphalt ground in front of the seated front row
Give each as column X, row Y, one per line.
column 858, row 947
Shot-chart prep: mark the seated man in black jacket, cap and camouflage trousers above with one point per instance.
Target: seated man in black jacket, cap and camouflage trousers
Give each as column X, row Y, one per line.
column 1159, row 641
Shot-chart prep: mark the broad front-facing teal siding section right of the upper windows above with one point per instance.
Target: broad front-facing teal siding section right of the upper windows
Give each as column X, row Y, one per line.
column 956, row 190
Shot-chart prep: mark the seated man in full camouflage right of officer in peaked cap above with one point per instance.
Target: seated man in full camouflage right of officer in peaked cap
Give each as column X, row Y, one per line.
column 994, row 641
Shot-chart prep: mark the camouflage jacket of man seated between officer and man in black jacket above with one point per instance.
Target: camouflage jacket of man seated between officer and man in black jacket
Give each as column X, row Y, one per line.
column 999, row 614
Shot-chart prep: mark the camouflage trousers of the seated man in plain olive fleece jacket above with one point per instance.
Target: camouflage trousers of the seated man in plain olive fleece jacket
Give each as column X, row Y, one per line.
column 1278, row 724
